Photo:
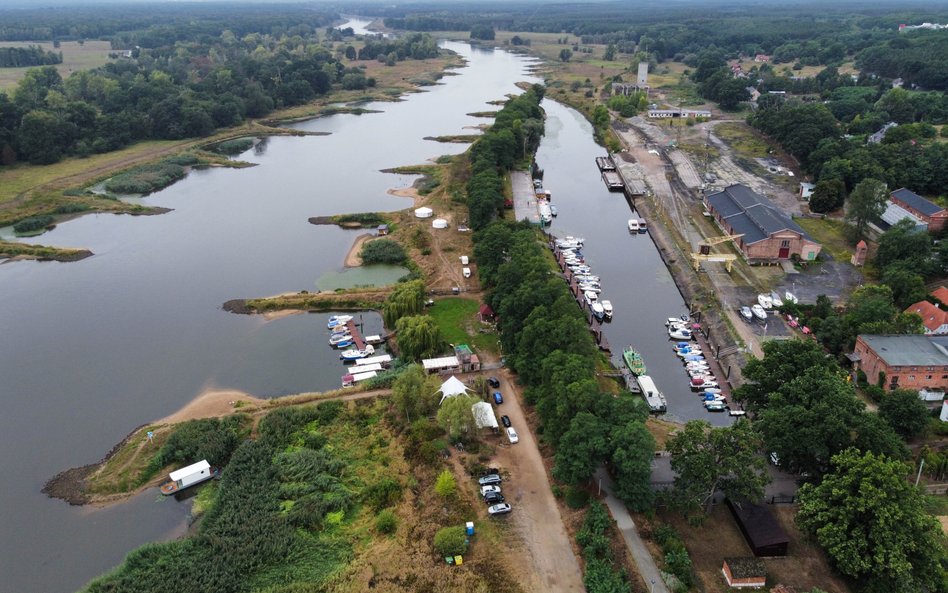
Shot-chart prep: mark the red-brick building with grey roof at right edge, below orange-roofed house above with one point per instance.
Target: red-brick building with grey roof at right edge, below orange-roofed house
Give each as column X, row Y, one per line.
column 907, row 362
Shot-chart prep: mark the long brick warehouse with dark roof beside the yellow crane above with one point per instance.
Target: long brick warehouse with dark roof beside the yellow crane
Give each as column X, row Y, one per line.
column 767, row 233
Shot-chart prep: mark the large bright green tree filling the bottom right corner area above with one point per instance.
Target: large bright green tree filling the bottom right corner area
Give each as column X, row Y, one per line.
column 873, row 524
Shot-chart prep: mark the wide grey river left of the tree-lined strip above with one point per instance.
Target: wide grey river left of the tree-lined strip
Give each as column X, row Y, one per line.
column 94, row 348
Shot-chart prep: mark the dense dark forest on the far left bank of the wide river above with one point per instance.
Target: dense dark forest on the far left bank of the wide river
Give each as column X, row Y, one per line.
column 203, row 76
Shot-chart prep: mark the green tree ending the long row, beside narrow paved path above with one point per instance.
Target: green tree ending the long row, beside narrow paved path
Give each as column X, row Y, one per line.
column 632, row 451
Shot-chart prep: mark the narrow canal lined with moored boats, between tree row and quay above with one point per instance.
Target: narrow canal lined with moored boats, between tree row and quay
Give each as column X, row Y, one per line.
column 633, row 275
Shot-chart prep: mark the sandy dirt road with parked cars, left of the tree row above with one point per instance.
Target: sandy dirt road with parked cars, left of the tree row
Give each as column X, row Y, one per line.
column 535, row 514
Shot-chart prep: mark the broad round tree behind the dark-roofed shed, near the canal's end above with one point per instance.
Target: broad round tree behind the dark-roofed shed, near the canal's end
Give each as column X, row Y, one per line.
column 711, row 460
